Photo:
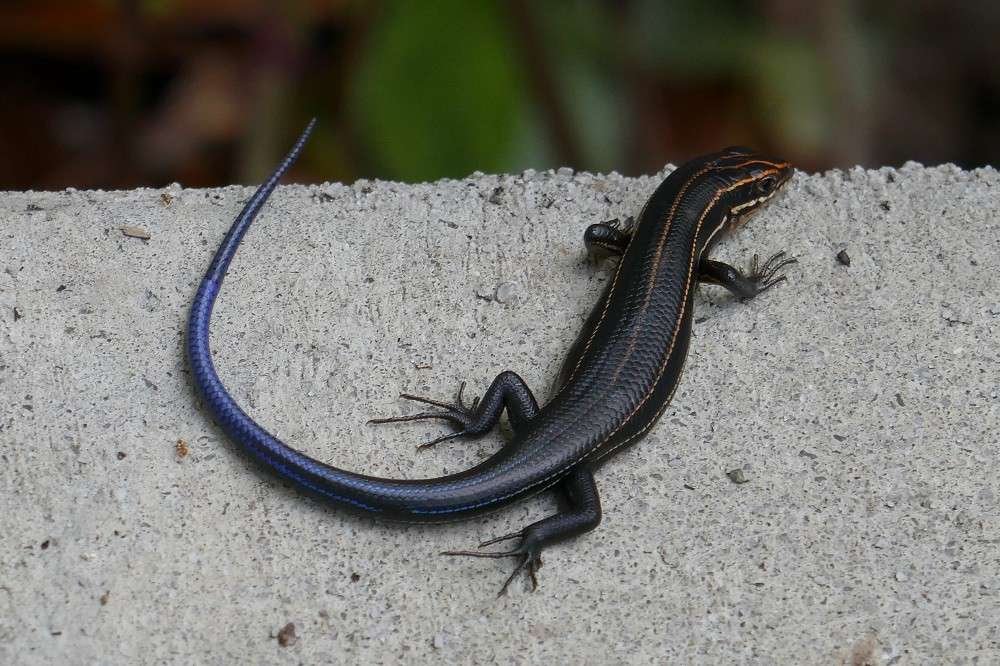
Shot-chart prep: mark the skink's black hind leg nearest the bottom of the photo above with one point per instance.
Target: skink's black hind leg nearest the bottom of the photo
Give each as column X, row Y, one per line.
column 582, row 515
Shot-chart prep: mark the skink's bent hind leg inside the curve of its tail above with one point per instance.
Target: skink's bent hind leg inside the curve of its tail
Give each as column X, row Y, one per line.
column 508, row 391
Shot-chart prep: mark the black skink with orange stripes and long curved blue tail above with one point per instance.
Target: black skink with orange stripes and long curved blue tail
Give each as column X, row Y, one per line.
column 617, row 379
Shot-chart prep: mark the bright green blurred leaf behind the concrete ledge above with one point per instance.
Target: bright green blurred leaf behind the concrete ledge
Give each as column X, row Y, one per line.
column 438, row 92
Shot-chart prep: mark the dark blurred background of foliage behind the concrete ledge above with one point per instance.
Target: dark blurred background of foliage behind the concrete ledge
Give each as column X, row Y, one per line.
column 111, row 94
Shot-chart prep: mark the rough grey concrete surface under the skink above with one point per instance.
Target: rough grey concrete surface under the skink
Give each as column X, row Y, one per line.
column 860, row 402
